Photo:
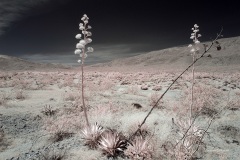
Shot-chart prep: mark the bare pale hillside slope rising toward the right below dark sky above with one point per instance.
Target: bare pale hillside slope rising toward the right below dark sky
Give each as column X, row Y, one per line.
column 228, row 58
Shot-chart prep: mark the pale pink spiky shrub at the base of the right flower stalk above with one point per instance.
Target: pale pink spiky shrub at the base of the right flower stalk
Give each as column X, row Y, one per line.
column 188, row 143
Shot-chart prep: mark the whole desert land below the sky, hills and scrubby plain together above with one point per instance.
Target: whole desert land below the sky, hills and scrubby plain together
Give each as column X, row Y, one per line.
column 42, row 118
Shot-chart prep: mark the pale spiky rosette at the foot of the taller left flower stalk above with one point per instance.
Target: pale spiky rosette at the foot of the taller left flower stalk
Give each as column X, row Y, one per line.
column 92, row 134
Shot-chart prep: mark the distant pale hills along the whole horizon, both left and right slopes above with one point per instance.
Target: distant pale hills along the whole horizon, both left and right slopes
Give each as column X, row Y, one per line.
column 226, row 59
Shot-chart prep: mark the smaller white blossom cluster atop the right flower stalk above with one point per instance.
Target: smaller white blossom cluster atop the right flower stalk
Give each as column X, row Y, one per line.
column 194, row 37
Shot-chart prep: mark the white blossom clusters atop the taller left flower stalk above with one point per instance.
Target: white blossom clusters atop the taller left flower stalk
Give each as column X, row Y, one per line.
column 83, row 40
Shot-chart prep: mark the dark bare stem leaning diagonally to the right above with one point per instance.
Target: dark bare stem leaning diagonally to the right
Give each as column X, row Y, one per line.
column 148, row 114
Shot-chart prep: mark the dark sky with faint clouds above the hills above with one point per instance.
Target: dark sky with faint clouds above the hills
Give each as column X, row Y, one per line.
column 44, row 30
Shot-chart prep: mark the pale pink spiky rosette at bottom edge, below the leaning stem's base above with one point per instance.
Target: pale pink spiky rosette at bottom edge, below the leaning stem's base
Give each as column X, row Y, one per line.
column 140, row 149
